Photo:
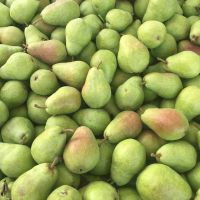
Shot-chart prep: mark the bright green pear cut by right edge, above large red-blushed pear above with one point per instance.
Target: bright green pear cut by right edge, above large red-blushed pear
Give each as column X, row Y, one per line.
column 187, row 102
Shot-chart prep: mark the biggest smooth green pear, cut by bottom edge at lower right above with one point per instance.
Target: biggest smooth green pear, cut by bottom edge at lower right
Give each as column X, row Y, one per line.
column 153, row 182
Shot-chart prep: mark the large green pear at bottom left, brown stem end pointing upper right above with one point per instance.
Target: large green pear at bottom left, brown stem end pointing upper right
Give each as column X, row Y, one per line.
column 42, row 178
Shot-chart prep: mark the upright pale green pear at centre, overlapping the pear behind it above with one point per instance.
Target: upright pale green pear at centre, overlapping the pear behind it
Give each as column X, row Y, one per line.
column 95, row 83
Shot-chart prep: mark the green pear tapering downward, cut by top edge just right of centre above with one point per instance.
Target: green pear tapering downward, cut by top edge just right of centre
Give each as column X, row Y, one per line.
column 101, row 7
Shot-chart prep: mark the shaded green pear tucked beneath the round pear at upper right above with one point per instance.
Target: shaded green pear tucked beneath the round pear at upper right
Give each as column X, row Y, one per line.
column 166, row 49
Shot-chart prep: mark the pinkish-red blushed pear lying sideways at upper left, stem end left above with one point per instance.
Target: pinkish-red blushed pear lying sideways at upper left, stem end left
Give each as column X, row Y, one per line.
column 50, row 51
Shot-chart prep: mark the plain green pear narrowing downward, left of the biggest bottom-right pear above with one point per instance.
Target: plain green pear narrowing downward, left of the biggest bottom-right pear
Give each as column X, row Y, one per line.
column 124, row 168
